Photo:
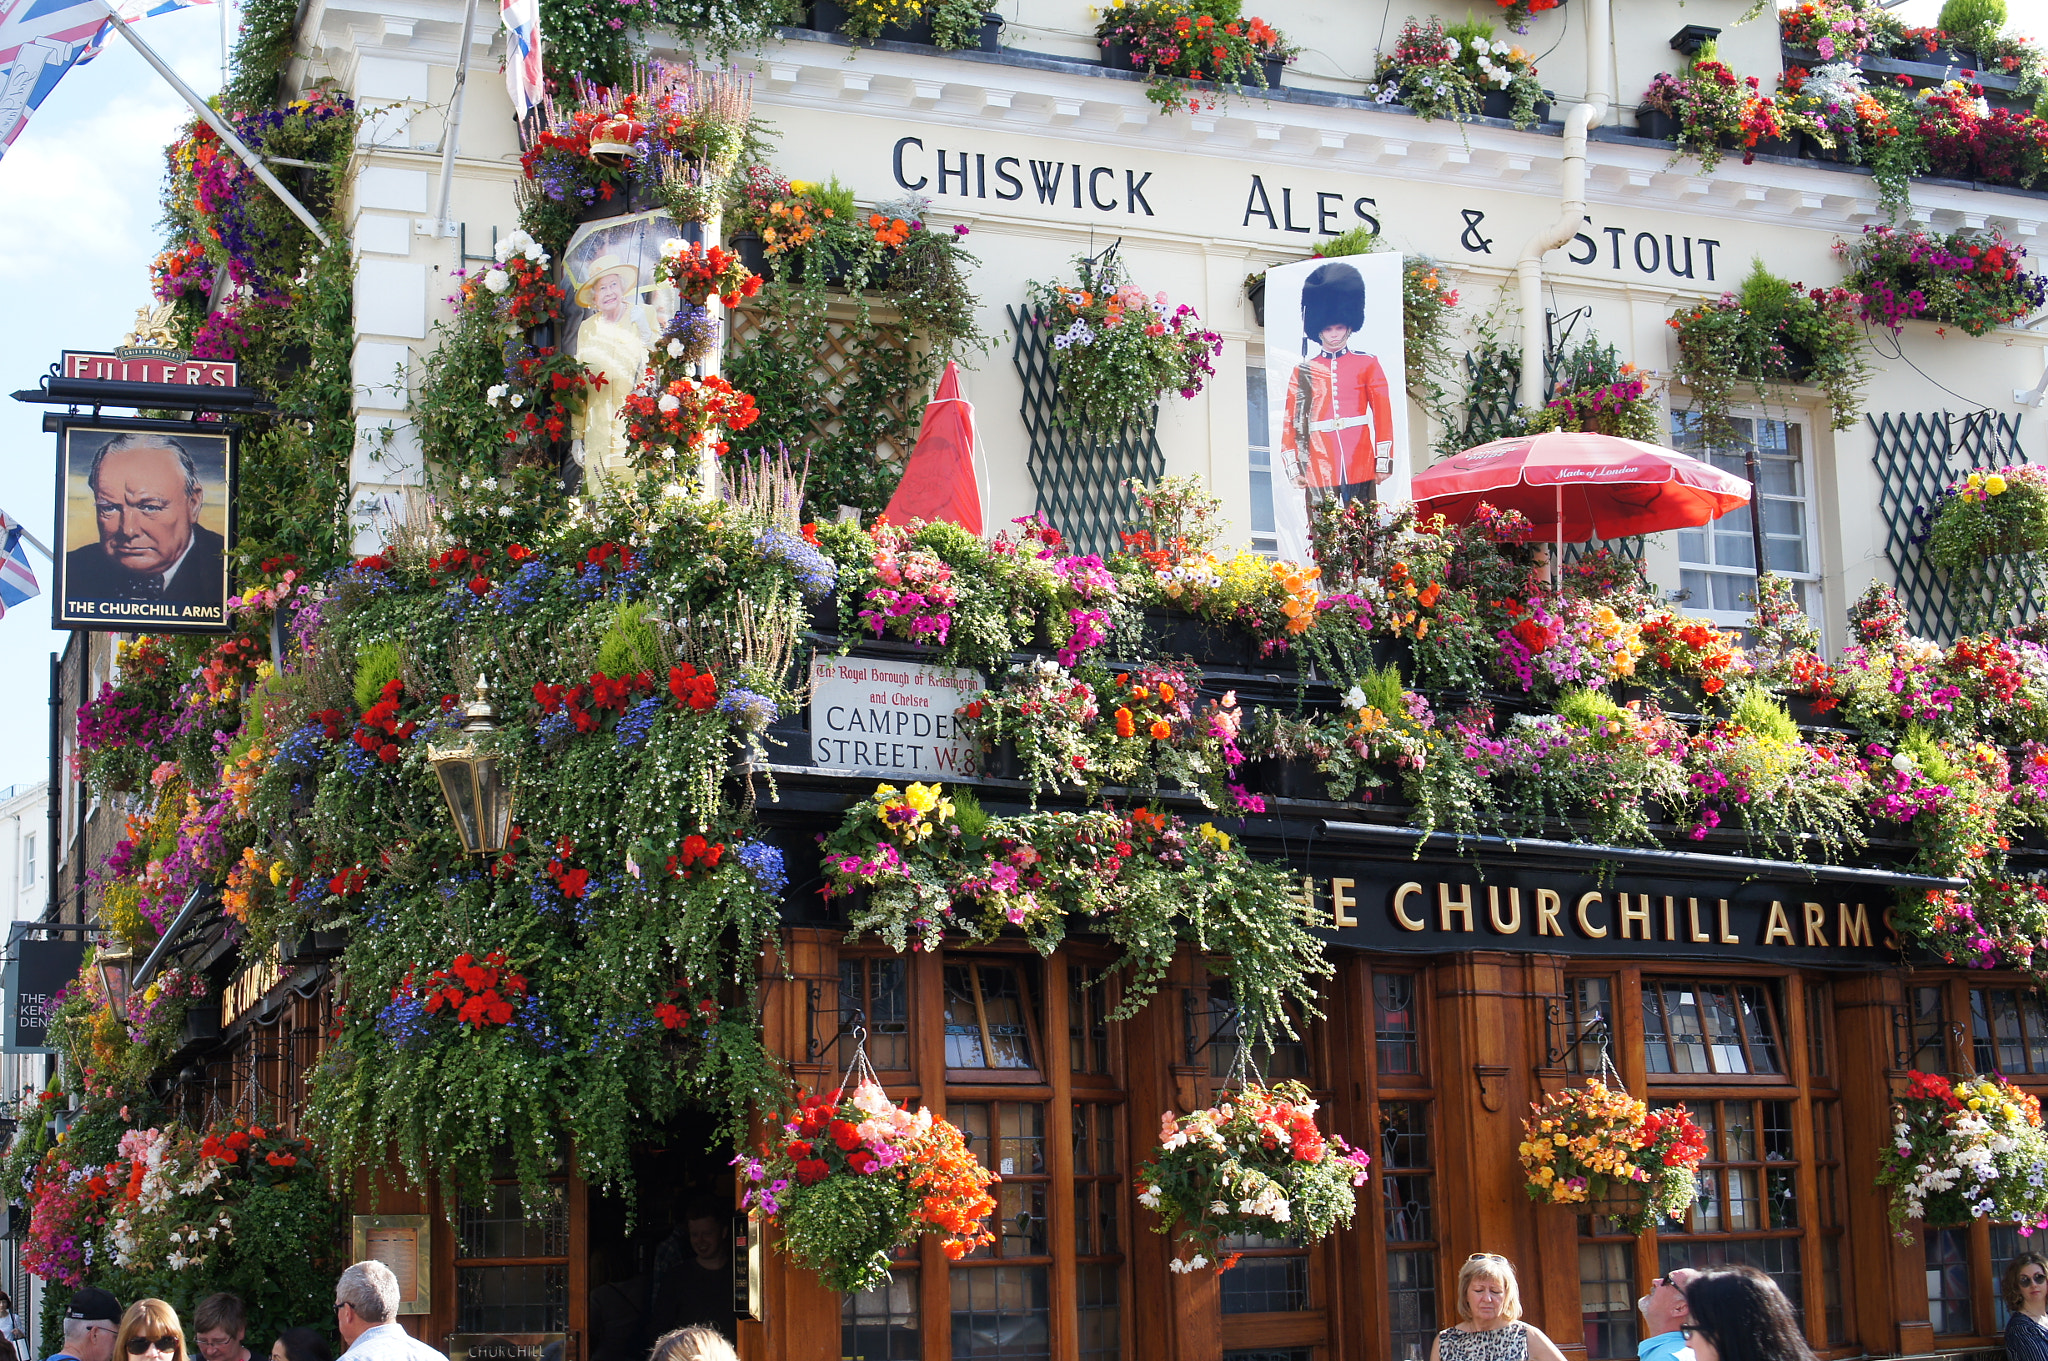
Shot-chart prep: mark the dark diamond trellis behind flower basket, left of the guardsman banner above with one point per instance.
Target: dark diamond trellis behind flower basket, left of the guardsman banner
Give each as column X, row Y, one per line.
column 1080, row 478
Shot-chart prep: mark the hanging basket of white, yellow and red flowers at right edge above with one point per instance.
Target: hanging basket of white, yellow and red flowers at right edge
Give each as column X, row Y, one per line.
column 1965, row 1151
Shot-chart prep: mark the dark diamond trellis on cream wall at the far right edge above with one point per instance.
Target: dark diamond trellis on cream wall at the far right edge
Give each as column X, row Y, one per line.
column 1918, row 457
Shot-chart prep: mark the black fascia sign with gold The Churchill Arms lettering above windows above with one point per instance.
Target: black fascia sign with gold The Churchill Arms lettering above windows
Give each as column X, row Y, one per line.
column 1435, row 908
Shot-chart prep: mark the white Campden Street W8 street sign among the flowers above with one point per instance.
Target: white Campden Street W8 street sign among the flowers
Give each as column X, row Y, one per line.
column 892, row 719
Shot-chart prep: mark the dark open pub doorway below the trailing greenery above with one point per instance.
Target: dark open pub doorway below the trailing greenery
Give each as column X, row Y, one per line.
column 665, row 1256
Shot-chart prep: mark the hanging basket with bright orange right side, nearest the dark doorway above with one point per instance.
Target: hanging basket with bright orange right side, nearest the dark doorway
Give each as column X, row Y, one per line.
column 859, row 1178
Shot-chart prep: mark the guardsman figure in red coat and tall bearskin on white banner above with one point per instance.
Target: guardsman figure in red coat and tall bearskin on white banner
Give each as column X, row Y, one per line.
column 1340, row 425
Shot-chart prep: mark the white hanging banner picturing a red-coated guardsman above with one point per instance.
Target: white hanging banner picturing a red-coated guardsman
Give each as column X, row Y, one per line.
column 1334, row 388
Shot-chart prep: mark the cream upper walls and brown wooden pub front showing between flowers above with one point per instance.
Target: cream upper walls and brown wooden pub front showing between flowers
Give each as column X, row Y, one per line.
column 1469, row 981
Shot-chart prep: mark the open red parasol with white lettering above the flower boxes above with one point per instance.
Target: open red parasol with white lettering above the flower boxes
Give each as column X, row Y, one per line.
column 1582, row 486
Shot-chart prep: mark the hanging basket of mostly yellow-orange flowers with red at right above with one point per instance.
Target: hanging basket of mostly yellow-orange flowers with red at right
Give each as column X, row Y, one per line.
column 1607, row 1153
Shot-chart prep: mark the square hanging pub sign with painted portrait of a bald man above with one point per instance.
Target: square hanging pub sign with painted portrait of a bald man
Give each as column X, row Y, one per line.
column 144, row 525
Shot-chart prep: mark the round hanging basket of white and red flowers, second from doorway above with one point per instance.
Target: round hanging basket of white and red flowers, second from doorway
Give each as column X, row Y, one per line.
column 1254, row 1164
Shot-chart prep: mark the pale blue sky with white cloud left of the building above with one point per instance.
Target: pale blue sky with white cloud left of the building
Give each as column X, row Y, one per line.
column 79, row 226
